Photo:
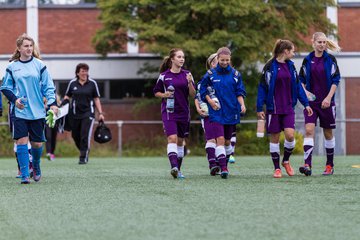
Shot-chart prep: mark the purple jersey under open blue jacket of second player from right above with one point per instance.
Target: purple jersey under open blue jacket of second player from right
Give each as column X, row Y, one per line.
column 282, row 94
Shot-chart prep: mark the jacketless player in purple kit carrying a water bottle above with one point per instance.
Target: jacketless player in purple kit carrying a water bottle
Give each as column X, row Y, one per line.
column 174, row 86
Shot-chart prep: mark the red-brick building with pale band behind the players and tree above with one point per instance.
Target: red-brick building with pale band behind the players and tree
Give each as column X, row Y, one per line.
column 64, row 34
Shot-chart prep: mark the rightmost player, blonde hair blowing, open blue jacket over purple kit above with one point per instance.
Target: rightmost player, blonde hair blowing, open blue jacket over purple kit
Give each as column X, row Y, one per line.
column 320, row 77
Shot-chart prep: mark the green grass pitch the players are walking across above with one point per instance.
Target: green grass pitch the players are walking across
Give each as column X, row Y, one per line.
column 136, row 198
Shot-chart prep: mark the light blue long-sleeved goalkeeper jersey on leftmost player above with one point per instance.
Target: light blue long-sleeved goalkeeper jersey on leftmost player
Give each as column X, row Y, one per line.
column 30, row 79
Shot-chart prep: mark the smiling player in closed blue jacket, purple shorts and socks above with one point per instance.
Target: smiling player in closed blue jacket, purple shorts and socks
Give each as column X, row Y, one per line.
column 223, row 90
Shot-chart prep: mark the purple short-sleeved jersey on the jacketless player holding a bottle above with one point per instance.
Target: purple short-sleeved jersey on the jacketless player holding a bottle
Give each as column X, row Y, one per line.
column 181, row 95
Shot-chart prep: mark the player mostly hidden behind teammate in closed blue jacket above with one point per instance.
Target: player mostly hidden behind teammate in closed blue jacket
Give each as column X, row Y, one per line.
column 202, row 109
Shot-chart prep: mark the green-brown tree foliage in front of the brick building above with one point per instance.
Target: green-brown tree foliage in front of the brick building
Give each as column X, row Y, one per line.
column 248, row 27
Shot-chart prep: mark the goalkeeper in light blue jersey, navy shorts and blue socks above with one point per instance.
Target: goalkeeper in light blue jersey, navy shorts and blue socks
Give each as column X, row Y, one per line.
column 25, row 83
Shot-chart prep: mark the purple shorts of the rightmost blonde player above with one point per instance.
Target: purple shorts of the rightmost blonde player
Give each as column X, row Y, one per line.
column 326, row 116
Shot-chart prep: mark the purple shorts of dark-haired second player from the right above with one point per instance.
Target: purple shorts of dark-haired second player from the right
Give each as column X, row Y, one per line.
column 276, row 123
